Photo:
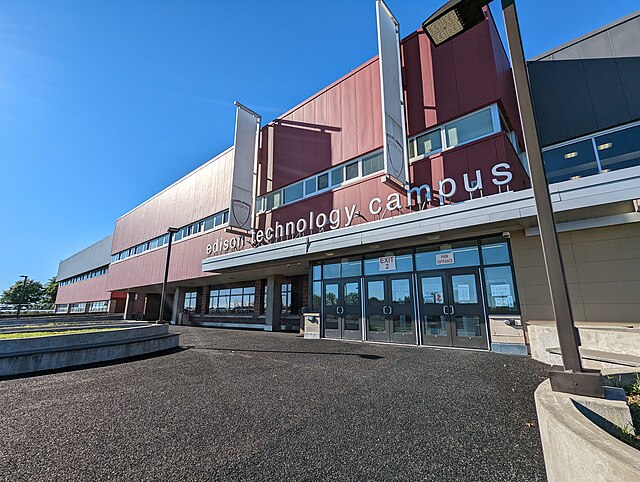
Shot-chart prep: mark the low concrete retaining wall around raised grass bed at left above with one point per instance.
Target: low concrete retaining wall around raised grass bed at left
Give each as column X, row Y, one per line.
column 22, row 356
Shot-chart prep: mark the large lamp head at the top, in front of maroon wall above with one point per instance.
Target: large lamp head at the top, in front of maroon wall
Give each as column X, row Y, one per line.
column 452, row 19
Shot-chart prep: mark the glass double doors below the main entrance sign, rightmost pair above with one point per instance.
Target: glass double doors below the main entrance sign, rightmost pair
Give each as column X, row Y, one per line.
column 451, row 308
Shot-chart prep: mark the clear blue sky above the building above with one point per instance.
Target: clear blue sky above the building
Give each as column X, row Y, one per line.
column 103, row 104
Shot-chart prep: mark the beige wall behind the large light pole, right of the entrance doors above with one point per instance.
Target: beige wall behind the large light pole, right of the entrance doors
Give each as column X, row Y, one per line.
column 604, row 282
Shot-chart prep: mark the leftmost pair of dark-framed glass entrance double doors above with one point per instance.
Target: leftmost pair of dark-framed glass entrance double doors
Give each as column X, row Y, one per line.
column 342, row 309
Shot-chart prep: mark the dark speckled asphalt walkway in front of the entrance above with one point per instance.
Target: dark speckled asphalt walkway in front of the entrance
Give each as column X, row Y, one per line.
column 252, row 405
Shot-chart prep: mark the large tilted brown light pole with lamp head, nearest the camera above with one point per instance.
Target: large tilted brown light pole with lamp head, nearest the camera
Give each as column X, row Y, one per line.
column 451, row 20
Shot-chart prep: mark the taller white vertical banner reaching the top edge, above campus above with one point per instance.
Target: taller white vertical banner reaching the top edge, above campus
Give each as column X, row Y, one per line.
column 394, row 132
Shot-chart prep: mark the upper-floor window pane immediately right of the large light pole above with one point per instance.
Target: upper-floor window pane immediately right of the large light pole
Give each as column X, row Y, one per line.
column 570, row 162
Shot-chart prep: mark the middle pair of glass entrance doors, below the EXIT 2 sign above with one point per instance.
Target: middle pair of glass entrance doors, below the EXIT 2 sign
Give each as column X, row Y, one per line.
column 389, row 309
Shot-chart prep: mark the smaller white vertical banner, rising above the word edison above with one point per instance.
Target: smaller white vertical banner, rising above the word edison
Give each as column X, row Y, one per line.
column 245, row 161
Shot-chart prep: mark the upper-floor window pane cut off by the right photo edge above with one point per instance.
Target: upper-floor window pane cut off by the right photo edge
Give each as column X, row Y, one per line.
column 620, row 149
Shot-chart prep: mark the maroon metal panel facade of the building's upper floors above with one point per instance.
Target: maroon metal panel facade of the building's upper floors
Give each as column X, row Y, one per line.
column 339, row 123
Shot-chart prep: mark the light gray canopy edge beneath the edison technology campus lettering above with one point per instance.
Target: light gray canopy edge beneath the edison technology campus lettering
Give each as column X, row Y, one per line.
column 612, row 187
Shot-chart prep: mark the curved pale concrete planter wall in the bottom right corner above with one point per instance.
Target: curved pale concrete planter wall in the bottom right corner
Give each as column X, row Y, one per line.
column 574, row 447
